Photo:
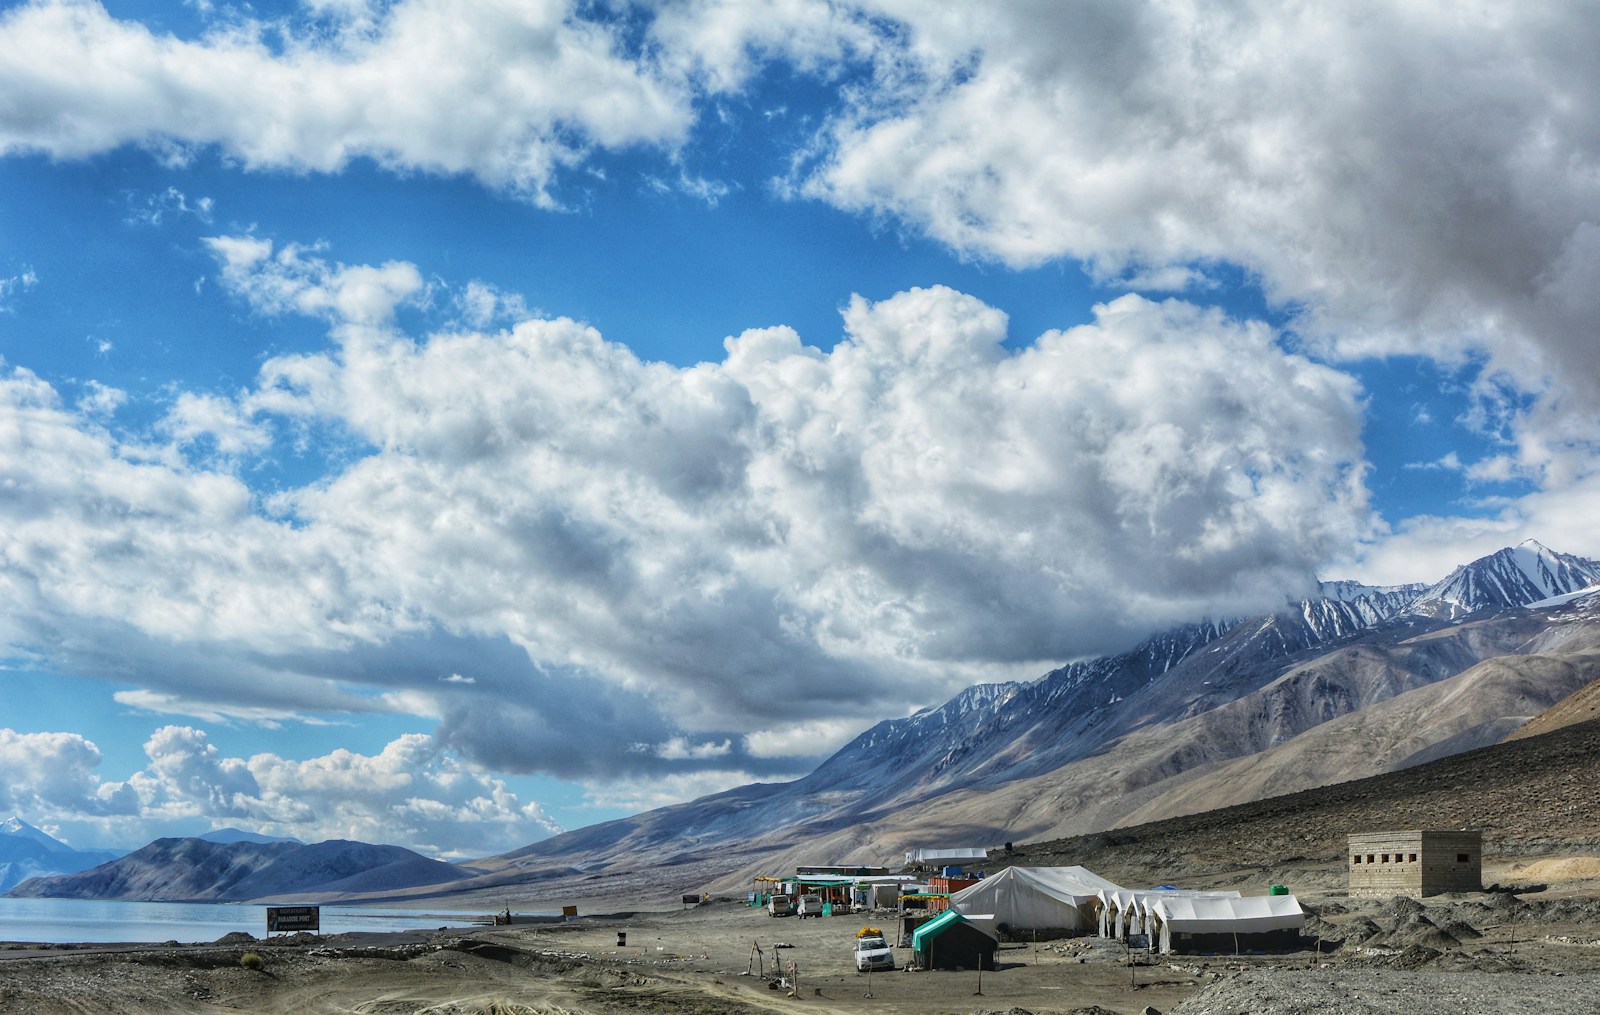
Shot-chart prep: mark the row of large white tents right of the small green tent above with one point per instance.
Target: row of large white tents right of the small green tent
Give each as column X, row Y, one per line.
column 1076, row 901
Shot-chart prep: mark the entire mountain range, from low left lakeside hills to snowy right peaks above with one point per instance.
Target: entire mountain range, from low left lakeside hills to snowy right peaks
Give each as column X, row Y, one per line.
column 1354, row 683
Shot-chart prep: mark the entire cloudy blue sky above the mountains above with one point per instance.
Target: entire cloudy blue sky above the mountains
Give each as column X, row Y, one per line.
column 444, row 423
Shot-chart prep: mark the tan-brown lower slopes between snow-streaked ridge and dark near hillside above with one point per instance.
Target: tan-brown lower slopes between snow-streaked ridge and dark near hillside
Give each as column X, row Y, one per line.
column 1215, row 758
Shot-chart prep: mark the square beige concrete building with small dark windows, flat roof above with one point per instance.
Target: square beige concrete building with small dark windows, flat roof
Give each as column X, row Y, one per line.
column 1417, row 862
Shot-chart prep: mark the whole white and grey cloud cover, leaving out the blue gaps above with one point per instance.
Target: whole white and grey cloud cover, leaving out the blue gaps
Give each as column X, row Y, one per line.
column 586, row 564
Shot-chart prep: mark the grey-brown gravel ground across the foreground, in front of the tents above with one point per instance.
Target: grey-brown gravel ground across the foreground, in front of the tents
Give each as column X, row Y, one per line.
column 1532, row 947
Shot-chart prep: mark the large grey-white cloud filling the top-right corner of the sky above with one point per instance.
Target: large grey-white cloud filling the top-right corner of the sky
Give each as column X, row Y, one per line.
column 1418, row 177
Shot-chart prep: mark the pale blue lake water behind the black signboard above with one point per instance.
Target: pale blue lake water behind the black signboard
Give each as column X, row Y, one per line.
column 63, row 921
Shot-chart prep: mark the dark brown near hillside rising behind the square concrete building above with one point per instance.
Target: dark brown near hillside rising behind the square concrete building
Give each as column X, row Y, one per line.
column 1532, row 798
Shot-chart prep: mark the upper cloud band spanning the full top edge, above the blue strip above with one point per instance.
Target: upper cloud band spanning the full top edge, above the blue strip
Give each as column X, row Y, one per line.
column 1410, row 177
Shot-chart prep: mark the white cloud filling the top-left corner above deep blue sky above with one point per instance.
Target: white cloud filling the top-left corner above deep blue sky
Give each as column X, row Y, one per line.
column 506, row 94
